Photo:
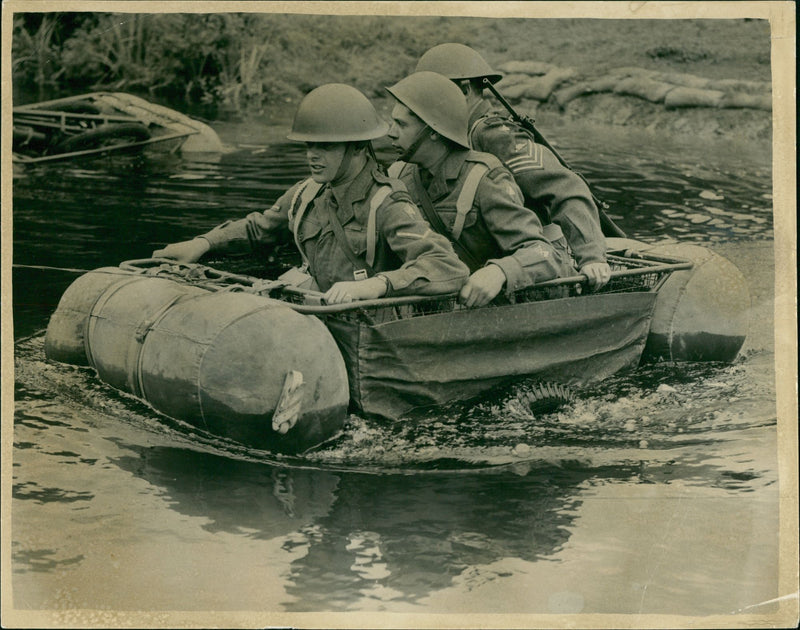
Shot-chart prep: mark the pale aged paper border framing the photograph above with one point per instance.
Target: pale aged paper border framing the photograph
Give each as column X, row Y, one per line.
column 782, row 19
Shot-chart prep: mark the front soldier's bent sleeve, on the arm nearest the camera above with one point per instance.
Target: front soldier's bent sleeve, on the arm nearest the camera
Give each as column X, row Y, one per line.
column 430, row 265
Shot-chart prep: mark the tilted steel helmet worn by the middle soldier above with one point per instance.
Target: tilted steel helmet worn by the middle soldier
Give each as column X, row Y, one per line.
column 437, row 101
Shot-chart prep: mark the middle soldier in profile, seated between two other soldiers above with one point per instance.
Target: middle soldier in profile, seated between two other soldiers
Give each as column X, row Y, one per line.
column 468, row 196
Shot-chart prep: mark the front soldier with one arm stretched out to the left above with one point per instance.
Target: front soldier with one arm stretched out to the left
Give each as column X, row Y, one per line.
column 359, row 233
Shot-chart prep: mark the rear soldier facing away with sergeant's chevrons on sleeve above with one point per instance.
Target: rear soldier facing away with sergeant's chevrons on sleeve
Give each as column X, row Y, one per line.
column 557, row 194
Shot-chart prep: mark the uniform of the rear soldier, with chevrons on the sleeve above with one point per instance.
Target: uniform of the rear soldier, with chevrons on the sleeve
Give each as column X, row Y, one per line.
column 557, row 194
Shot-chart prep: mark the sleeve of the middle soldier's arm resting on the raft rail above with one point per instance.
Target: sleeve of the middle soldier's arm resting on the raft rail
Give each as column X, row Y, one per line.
column 517, row 231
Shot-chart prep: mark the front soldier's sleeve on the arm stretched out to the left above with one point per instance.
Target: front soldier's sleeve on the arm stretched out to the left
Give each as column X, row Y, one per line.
column 258, row 228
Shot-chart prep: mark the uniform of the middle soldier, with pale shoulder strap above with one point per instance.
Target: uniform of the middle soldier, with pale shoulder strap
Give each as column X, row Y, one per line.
column 495, row 227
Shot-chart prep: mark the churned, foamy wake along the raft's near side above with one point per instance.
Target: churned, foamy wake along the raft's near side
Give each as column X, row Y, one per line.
column 644, row 414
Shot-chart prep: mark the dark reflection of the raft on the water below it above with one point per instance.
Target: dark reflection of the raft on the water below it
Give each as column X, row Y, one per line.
column 411, row 532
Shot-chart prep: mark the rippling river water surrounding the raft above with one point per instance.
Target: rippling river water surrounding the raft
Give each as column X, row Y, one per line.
column 655, row 492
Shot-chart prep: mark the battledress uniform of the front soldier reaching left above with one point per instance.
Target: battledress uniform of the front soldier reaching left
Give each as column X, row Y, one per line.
column 413, row 258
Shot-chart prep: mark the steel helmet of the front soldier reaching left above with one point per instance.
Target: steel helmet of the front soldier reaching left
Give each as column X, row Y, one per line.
column 336, row 113
